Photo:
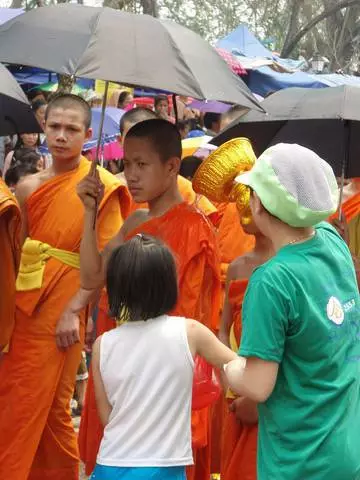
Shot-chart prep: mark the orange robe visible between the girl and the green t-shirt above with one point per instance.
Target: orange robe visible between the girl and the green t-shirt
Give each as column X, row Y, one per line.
column 239, row 442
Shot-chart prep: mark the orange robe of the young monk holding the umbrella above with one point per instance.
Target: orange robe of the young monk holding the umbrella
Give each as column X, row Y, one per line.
column 191, row 238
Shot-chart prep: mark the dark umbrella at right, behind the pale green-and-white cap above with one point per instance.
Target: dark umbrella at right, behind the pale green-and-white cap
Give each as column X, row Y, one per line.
column 326, row 121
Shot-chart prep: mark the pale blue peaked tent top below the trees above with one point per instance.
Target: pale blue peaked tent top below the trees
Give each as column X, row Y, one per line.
column 242, row 41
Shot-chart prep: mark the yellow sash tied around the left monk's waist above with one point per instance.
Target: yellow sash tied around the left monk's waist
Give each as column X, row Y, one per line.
column 34, row 256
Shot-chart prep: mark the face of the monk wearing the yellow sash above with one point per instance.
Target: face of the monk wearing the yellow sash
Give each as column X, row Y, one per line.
column 65, row 133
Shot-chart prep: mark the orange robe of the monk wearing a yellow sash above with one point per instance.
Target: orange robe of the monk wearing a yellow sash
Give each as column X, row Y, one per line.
column 37, row 440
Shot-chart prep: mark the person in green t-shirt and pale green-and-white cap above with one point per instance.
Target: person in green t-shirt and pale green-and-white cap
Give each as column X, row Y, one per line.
column 299, row 352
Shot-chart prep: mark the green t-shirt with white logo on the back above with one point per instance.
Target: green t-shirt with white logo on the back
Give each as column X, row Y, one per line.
column 301, row 310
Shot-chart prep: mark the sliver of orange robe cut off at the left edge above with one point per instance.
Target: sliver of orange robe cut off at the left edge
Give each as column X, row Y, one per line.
column 10, row 222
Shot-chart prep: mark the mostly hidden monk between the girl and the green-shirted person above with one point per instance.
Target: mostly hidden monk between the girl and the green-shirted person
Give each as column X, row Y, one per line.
column 239, row 436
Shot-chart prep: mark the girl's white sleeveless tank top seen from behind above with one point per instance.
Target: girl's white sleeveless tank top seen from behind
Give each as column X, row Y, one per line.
column 147, row 370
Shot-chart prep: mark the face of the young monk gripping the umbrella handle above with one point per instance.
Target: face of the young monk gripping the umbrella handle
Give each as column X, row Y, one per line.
column 146, row 175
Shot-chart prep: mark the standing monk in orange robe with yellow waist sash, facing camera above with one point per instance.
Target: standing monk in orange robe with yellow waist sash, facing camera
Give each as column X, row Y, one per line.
column 37, row 440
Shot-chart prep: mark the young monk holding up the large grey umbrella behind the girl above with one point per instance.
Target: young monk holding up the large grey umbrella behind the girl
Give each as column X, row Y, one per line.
column 152, row 161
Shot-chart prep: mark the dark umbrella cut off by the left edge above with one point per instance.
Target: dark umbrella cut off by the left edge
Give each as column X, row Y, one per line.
column 16, row 115
